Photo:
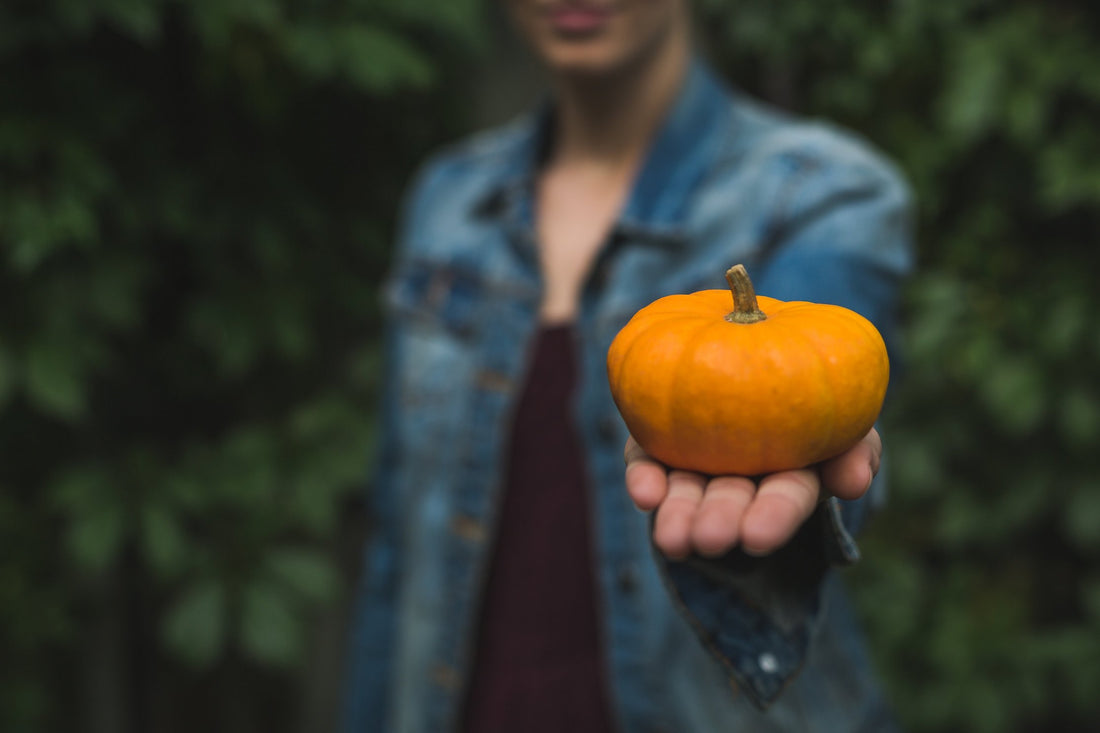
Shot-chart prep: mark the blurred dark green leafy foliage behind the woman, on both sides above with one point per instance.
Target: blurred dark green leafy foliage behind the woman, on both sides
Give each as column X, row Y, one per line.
column 196, row 207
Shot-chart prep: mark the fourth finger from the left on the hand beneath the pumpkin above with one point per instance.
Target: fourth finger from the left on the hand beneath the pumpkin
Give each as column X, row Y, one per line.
column 783, row 502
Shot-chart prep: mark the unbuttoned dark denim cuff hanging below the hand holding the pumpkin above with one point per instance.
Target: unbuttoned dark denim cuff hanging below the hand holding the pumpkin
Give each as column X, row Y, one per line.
column 757, row 616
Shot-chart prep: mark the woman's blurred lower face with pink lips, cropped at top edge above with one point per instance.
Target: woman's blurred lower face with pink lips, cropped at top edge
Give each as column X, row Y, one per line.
column 599, row 37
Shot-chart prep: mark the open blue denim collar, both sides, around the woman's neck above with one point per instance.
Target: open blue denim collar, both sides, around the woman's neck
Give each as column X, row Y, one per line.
column 657, row 210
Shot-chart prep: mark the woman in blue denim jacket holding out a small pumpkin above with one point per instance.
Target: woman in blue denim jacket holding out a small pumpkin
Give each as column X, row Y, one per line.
column 510, row 584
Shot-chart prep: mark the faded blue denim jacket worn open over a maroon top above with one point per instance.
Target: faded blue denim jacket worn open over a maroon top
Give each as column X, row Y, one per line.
column 738, row 644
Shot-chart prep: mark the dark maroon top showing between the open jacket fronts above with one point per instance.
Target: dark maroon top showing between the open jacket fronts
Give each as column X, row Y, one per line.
column 540, row 662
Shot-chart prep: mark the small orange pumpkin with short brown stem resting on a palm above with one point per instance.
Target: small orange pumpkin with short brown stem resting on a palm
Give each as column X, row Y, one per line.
column 768, row 387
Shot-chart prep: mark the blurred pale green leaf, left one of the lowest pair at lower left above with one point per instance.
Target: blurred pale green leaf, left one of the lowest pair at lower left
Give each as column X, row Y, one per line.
column 195, row 626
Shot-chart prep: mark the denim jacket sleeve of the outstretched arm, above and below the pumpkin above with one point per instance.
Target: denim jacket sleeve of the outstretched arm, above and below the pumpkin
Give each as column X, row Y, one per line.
column 842, row 236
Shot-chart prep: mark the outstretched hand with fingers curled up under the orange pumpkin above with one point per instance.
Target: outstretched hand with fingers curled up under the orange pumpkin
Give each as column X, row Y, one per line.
column 711, row 516
